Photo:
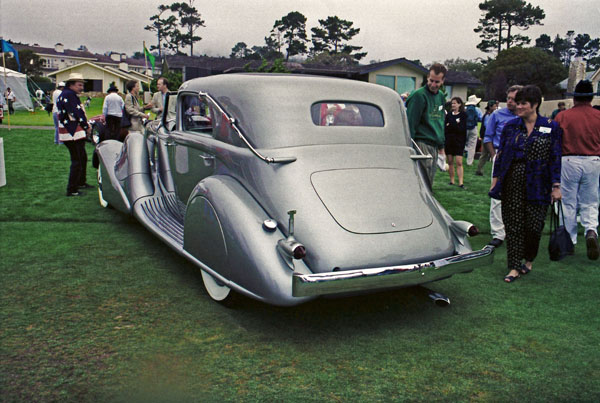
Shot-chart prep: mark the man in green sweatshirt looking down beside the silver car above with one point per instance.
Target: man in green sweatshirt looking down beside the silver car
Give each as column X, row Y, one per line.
column 425, row 111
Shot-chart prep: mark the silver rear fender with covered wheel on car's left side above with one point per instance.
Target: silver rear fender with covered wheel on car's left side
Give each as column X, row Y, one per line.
column 224, row 229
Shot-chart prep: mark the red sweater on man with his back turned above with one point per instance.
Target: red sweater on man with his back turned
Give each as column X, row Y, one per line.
column 581, row 130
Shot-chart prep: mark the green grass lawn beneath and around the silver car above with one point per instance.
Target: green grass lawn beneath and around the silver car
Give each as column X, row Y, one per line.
column 95, row 308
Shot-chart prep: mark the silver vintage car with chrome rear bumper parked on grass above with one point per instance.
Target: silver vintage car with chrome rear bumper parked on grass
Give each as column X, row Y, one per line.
column 286, row 187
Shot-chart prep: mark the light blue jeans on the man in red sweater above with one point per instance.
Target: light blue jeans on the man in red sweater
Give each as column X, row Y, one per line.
column 579, row 186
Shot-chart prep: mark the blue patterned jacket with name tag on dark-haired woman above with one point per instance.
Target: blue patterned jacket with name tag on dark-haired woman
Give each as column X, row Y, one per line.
column 541, row 152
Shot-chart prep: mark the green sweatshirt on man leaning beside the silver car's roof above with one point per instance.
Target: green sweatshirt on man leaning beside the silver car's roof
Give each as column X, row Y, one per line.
column 426, row 115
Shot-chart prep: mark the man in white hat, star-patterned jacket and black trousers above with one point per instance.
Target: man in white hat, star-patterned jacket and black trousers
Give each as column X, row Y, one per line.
column 72, row 128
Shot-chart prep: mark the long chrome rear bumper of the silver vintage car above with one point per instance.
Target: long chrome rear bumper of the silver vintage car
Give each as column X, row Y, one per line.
column 304, row 285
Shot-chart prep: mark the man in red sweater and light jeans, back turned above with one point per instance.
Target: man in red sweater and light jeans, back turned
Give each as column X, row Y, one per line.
column 580, row 171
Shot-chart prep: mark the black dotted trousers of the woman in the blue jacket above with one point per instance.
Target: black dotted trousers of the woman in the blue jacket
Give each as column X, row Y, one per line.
column 523, row 221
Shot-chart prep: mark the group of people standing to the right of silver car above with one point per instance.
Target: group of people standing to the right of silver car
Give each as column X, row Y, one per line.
column 536, row 160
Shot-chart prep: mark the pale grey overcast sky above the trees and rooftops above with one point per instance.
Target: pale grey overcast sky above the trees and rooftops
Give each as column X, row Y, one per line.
column 428, row 30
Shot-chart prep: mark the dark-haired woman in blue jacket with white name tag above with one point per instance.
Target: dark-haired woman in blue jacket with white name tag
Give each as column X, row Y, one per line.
column 526, row 178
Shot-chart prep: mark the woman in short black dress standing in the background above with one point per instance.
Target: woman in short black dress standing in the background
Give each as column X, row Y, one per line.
column 456, row 137
